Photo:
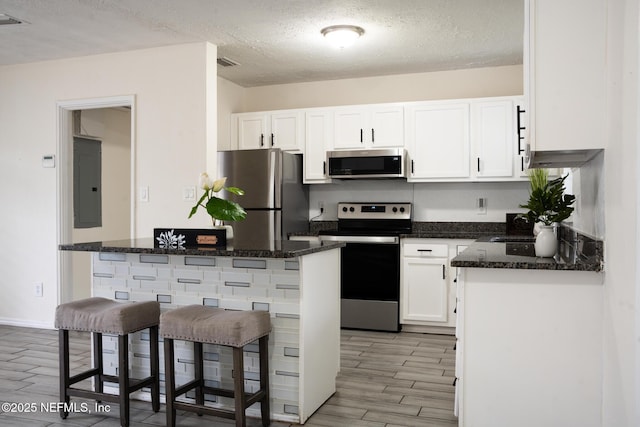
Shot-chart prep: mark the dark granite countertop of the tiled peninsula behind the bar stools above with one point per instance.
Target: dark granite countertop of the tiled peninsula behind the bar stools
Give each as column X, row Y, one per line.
column 277, row 248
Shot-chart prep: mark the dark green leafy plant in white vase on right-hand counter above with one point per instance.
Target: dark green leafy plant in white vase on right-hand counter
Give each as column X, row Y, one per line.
column 547, row 205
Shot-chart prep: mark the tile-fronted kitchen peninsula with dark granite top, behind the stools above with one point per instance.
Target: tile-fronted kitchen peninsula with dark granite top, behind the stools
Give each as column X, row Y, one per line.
column 297, row 282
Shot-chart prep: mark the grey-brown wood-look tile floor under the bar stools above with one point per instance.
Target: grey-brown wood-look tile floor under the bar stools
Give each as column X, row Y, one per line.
column 386, row 380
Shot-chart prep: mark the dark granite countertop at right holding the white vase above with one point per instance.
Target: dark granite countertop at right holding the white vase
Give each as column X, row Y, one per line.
column 576, row 252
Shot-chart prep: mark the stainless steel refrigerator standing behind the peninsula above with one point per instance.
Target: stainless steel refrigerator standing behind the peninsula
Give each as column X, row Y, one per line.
column 276, row 200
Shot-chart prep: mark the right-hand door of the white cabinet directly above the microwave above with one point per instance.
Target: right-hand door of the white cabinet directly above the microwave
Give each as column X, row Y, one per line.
column 386, row 127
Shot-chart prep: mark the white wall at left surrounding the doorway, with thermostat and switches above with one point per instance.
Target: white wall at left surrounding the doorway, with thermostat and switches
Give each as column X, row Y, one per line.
column 173, row 136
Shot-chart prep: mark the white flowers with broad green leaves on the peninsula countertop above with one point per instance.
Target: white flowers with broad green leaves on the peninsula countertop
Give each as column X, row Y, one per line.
column 219, row 209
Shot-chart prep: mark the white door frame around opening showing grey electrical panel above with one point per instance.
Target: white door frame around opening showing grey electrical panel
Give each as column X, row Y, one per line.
column 64, row 178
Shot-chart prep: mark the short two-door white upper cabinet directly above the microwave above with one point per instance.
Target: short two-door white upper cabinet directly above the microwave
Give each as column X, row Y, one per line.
column 368, row 126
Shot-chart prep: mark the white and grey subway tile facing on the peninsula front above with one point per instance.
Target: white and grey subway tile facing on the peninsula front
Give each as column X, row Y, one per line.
column 270, row 285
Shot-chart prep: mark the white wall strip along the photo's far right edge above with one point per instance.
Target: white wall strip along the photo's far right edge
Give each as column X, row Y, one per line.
column 621, row 382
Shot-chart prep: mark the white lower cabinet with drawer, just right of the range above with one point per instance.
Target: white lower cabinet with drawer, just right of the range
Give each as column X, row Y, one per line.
column 427, row 292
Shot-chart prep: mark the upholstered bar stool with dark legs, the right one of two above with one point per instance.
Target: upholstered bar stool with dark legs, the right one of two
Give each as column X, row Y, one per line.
column 200, row 324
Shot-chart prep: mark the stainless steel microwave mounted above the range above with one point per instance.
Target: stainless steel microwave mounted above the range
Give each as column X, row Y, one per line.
column 377, row 163
